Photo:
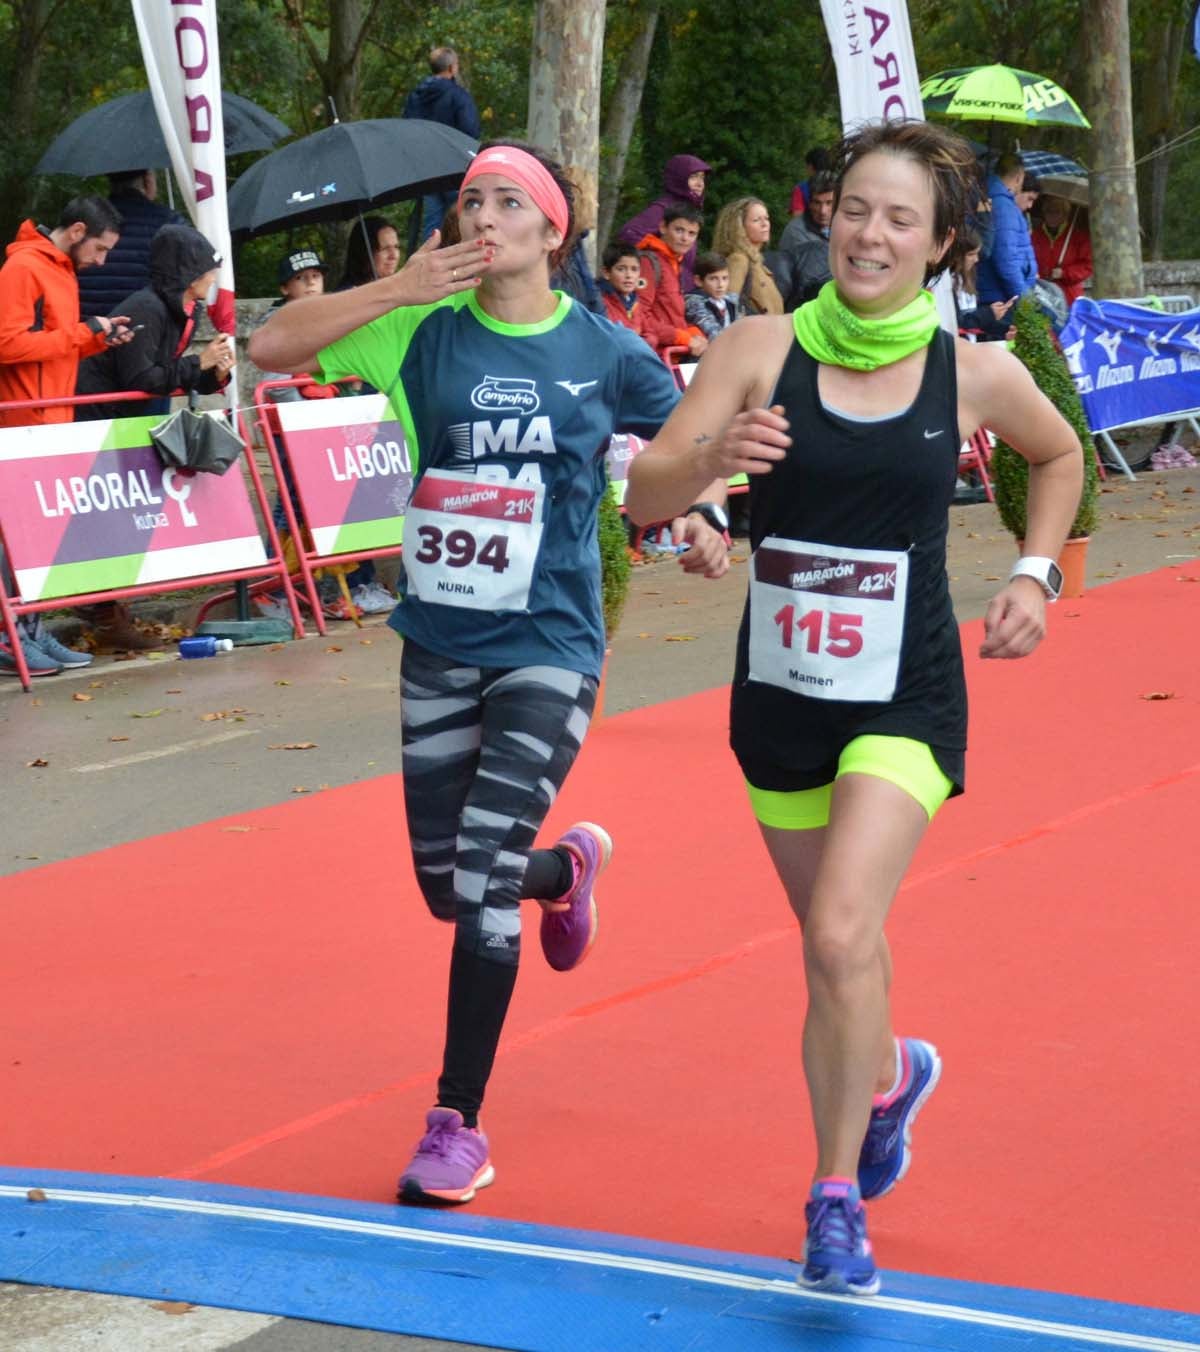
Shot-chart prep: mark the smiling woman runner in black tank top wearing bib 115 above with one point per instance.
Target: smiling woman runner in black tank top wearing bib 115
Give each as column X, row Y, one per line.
column 849, row 706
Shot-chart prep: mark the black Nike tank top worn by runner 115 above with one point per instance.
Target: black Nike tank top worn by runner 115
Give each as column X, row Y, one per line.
column 887, row 486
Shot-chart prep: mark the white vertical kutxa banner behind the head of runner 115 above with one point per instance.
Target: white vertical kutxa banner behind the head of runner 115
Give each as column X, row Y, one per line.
column 878, row 82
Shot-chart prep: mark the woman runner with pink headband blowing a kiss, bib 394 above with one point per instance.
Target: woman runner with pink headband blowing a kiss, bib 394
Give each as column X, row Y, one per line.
column 509, row 394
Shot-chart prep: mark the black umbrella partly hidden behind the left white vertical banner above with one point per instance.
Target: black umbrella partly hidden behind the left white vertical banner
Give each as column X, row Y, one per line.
column 124, row 136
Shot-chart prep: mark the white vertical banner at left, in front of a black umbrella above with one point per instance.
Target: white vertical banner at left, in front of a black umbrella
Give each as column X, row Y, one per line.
column 183, row 63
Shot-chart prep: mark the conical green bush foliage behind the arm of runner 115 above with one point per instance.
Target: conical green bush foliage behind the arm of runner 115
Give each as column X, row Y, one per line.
column 1010, row 471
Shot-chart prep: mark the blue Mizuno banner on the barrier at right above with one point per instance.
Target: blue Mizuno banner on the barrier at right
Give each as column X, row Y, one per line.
column 1133, row 364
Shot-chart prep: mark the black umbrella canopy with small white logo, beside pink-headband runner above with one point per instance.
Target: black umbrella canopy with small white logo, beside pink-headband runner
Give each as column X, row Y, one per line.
column 347, row 170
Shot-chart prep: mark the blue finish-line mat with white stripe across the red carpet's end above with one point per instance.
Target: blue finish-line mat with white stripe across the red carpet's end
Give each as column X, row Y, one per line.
column 505, row 1285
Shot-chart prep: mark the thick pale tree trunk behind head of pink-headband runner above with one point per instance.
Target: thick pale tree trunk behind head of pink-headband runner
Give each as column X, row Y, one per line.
column 566, row 97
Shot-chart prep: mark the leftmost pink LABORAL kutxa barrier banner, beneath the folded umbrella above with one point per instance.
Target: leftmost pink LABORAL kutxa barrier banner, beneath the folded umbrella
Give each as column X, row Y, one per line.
column 90, row 508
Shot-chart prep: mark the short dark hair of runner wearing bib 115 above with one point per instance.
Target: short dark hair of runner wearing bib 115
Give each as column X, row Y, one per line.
column 947, row 159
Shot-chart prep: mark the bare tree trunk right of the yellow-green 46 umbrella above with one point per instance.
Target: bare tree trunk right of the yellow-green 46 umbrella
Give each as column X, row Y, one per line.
column 1116, row 240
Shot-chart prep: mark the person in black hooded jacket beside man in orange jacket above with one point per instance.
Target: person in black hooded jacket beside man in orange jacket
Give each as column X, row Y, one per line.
column 163, row 317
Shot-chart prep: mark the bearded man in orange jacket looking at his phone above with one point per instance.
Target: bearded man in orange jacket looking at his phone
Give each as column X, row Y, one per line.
column 43, row 339
